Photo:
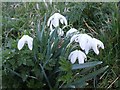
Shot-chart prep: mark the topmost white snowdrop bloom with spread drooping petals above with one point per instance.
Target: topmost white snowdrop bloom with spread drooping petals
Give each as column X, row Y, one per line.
column 54, row 20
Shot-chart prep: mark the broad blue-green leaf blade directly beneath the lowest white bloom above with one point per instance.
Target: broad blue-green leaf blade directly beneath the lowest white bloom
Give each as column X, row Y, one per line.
column 85, row 65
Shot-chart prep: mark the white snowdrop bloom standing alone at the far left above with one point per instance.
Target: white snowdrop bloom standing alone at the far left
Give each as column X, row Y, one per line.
column 25, row 39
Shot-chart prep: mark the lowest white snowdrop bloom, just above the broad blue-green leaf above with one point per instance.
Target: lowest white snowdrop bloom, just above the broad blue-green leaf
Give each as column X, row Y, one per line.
column 77, row 54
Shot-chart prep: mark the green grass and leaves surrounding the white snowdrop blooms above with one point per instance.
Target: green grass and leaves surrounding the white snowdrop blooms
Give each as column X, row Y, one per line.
column 47, row 65
